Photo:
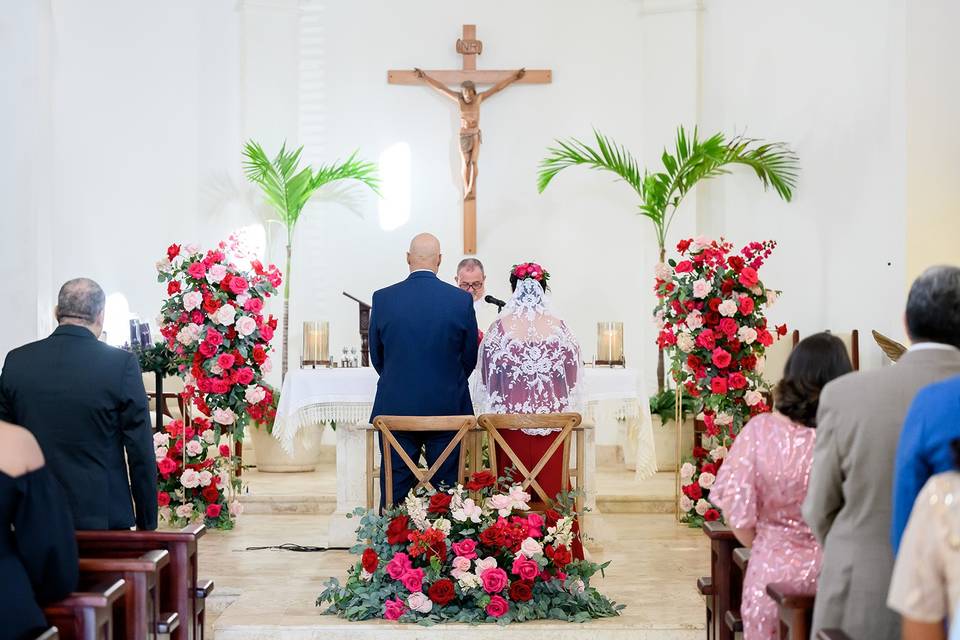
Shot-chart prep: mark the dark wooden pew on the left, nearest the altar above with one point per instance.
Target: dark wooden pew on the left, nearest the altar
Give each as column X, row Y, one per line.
column 181, row 591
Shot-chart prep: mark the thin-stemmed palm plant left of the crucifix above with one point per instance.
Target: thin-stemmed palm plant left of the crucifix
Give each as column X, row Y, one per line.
column 288, row 188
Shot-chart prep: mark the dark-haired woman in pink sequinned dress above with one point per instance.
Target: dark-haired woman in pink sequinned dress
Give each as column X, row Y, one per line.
column 763, row 481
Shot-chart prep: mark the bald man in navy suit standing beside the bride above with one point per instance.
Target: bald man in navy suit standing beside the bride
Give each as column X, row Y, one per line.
column 423, row 343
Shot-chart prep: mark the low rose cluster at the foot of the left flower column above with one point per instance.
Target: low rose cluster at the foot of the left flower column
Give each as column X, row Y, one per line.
column 195, row 476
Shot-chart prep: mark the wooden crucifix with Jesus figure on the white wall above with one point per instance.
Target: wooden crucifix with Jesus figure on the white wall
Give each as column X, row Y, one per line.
column 469, row 101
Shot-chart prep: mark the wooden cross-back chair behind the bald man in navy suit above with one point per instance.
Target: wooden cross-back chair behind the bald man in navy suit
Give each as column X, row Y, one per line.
column 386, row 425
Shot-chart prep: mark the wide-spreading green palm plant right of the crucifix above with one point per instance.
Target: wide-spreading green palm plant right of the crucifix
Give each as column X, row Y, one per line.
column 693, row 159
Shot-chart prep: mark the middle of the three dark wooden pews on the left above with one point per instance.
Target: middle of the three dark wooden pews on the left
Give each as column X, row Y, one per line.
column 139, row 615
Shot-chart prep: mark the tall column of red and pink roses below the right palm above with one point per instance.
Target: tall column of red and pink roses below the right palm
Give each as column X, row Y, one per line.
column 711, row 317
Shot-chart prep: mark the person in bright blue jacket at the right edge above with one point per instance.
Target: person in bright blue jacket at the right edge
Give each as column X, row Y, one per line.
column 924, row 450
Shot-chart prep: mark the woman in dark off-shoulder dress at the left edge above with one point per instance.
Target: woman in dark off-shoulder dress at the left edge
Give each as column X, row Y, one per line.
column 38, row 550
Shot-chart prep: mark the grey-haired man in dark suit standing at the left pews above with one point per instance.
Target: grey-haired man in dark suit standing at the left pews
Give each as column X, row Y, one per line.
column 85, row 403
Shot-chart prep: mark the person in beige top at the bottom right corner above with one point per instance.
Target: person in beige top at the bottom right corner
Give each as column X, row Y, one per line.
column 925, row 588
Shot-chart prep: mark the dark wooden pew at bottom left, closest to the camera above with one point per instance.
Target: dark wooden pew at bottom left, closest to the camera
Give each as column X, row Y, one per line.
column 87, row 614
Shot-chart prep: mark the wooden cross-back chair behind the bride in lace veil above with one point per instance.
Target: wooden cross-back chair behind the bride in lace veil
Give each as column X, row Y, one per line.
column 566, row 422
